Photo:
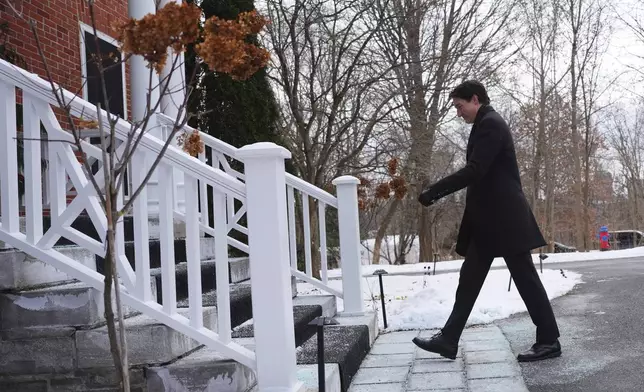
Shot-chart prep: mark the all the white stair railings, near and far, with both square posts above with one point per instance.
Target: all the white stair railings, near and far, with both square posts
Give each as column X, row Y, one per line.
column 264, row 192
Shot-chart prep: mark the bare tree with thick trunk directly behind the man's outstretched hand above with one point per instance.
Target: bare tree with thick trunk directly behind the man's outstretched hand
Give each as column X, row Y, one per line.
column 431, row 45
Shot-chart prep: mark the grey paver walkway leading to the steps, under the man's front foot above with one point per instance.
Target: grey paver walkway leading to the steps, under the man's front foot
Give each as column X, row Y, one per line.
column 485, row 363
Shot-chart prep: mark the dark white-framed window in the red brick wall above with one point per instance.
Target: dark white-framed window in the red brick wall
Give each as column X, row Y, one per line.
column 113, row 75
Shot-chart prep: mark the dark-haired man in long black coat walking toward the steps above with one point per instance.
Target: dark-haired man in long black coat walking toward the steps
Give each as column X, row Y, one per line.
column 497, row 222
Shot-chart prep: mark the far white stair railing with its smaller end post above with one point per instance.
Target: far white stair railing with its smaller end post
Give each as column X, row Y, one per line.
column 224, row 156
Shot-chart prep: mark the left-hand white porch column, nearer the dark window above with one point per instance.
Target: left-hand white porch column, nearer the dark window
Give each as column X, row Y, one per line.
column 139, row 86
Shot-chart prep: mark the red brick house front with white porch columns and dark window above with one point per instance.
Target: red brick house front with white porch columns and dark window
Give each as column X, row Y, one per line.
column 66, row 36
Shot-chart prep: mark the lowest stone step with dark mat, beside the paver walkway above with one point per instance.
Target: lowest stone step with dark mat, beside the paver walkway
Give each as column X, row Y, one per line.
column 345, row 344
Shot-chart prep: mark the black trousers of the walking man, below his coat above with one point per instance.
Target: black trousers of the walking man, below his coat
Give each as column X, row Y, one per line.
column 473, row 273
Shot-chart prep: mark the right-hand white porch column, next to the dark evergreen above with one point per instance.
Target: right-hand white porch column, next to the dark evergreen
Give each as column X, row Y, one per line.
column 170, row 103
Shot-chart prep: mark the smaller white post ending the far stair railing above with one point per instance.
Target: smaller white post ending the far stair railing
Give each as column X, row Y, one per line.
column 349, row 226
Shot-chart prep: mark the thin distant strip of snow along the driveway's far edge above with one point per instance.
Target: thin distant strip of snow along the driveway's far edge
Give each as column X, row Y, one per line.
column 455, row 265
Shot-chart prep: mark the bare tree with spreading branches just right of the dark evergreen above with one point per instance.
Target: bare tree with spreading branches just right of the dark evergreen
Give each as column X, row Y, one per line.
column 334, row 102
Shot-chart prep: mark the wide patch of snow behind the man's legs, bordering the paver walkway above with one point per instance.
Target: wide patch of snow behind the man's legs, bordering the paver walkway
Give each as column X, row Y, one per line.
column 425, row 302
